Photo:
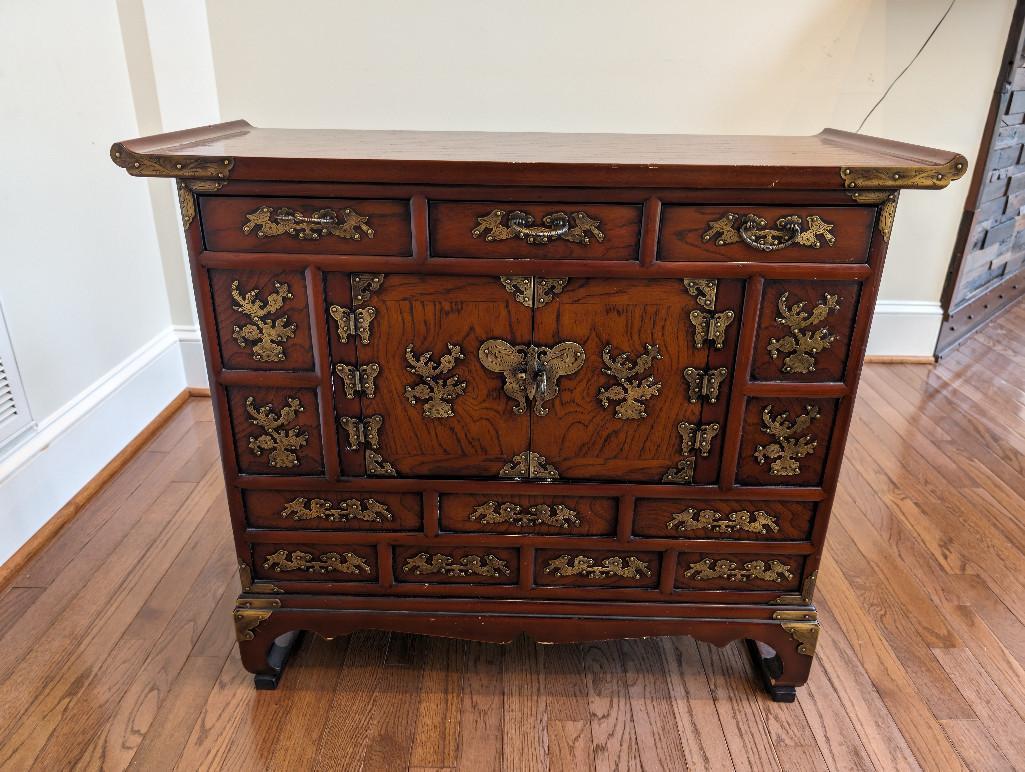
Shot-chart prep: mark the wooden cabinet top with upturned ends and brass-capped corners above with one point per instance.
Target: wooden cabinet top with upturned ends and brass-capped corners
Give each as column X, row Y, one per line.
column 830, row 160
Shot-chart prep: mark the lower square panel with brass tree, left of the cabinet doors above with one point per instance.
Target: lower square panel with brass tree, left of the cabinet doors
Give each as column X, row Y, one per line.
column 276, row 431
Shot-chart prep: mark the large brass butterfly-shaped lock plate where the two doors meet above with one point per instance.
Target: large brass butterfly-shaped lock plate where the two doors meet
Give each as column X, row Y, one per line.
column 531, row 372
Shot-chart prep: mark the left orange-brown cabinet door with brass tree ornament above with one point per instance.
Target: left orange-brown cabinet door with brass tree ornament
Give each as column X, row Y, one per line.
column 434, row 411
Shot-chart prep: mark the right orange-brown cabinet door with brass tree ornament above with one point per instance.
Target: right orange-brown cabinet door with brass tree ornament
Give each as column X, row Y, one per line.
column 631, row 414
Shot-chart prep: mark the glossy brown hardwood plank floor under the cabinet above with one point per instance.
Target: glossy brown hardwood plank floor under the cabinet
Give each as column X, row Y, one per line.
column 921, row 664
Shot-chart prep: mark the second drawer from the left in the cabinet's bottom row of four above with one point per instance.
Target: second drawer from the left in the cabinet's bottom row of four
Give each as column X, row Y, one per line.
column 457, row 565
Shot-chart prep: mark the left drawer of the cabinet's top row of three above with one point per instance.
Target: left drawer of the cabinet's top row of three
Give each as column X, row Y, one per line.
column 306, row 226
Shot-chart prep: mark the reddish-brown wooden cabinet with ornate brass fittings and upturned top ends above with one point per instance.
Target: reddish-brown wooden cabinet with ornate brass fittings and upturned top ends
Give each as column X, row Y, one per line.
column 575, row 387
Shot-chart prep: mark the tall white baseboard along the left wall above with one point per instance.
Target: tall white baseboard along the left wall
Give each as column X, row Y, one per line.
column 69, row 449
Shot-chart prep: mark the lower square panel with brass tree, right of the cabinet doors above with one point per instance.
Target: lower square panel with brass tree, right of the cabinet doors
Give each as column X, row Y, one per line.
column 786, row 441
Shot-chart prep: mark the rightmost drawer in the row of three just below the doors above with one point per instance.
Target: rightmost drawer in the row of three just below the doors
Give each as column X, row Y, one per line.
column 704, row 519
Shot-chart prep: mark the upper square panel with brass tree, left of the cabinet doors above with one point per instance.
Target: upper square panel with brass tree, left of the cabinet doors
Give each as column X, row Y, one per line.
column 263, row 320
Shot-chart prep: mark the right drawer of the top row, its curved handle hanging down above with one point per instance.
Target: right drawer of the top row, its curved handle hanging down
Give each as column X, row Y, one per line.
column 766, row 233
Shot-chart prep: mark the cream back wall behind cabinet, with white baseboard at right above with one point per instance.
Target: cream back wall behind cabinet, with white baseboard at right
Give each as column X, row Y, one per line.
column 650, row 66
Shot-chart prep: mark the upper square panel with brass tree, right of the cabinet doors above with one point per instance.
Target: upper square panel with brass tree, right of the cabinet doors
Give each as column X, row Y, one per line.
column 805, row 331
